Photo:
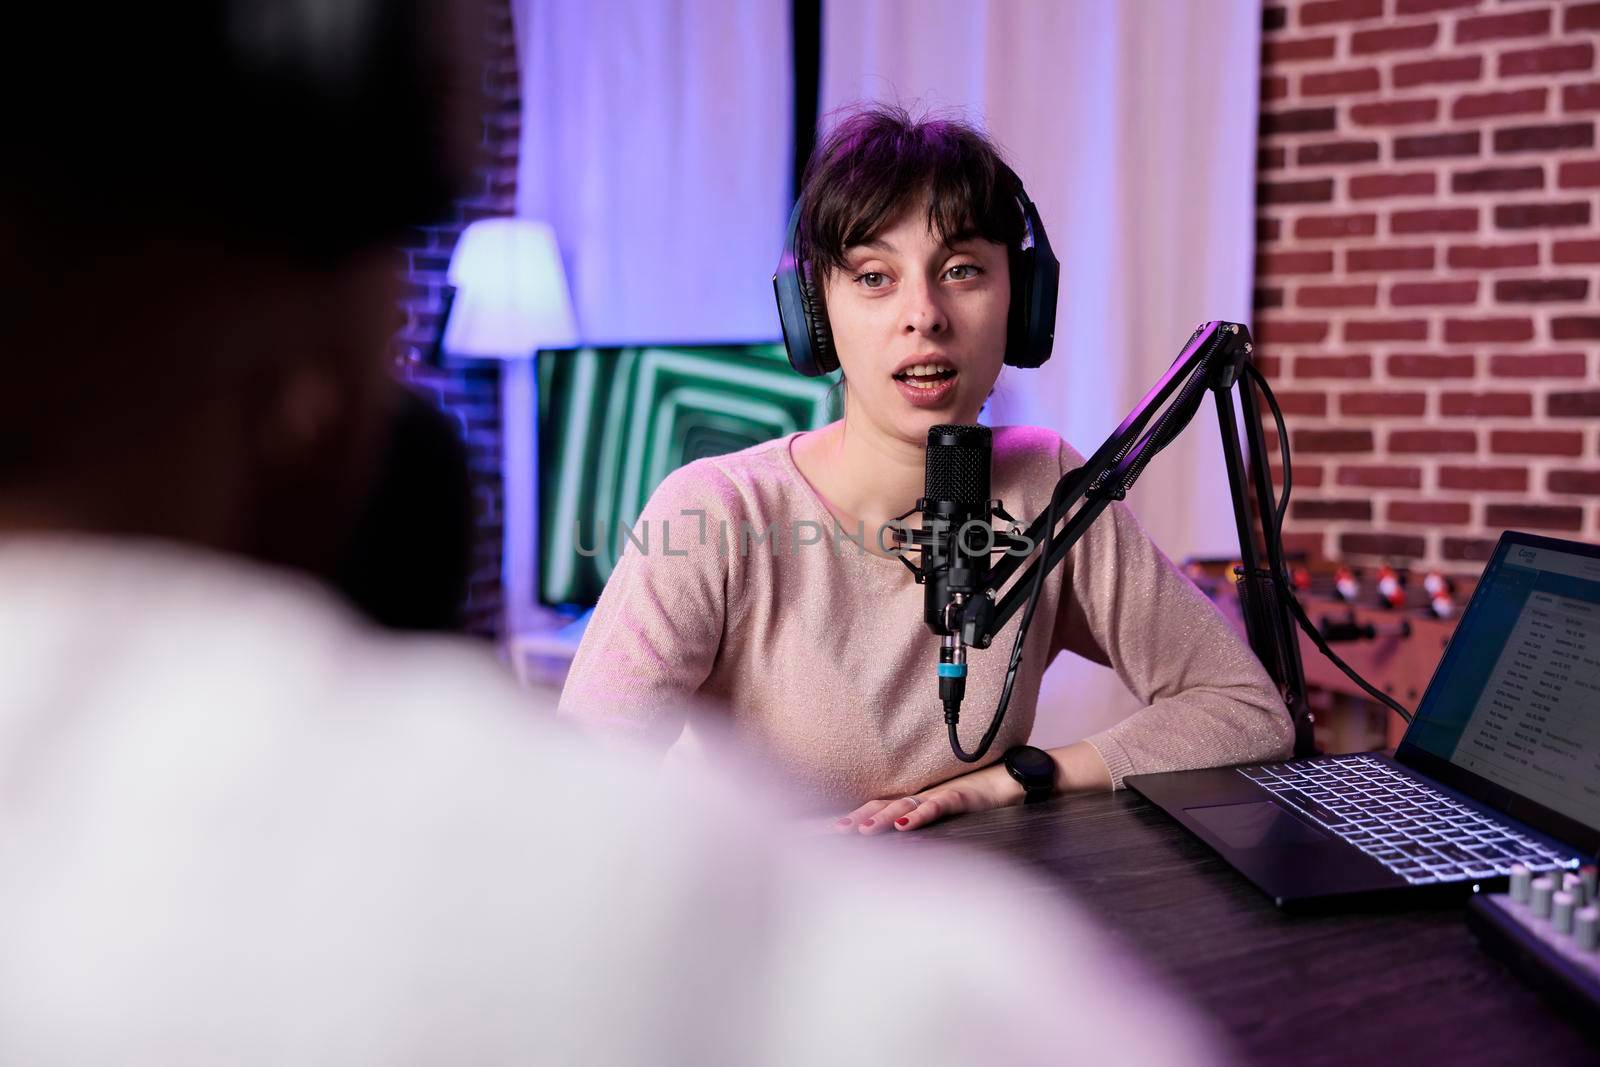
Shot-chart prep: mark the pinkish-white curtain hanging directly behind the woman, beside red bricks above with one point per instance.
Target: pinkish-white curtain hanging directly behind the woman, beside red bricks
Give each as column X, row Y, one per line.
column 1134, row 127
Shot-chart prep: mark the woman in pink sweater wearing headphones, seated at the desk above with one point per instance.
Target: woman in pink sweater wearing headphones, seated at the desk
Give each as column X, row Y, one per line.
column 916, row 266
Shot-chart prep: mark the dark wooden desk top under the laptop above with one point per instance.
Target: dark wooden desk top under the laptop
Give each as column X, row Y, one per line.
column 1386, row 988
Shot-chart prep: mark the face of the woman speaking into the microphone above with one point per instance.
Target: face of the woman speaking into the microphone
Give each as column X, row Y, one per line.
column 919, row 326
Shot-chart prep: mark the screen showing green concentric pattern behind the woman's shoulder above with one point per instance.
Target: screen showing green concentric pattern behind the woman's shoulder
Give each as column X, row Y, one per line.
column 614, row 423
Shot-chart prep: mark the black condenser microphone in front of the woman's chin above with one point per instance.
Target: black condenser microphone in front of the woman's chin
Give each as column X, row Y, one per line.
column 956, row 514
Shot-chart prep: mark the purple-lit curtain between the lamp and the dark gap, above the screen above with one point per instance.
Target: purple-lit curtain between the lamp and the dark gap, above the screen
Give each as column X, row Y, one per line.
column 657, row 138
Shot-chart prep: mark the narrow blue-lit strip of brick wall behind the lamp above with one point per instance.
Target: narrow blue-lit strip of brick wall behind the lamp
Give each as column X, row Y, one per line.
column 471, row 391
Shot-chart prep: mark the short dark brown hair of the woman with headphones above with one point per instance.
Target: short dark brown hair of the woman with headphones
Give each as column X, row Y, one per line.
column 878, row 159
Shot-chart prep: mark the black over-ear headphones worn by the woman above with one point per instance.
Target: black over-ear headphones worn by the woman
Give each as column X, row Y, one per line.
column 1031, row 321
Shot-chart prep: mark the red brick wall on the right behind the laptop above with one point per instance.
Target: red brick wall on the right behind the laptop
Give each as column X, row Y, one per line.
column 1430, row 271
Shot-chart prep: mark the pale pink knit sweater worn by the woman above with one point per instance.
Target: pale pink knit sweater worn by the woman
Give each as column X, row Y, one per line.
column 818, row 657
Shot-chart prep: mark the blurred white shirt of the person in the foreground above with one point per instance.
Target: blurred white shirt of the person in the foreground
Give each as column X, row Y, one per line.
column 236, row 826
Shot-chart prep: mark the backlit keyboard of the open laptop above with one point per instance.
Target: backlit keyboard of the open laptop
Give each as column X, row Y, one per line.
column 1412, row 829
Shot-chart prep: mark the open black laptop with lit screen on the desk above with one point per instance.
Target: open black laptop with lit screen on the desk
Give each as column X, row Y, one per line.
column 1500, row 767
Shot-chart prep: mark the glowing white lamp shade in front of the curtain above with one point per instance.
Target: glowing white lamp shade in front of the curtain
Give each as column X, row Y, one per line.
column 511, row 292
